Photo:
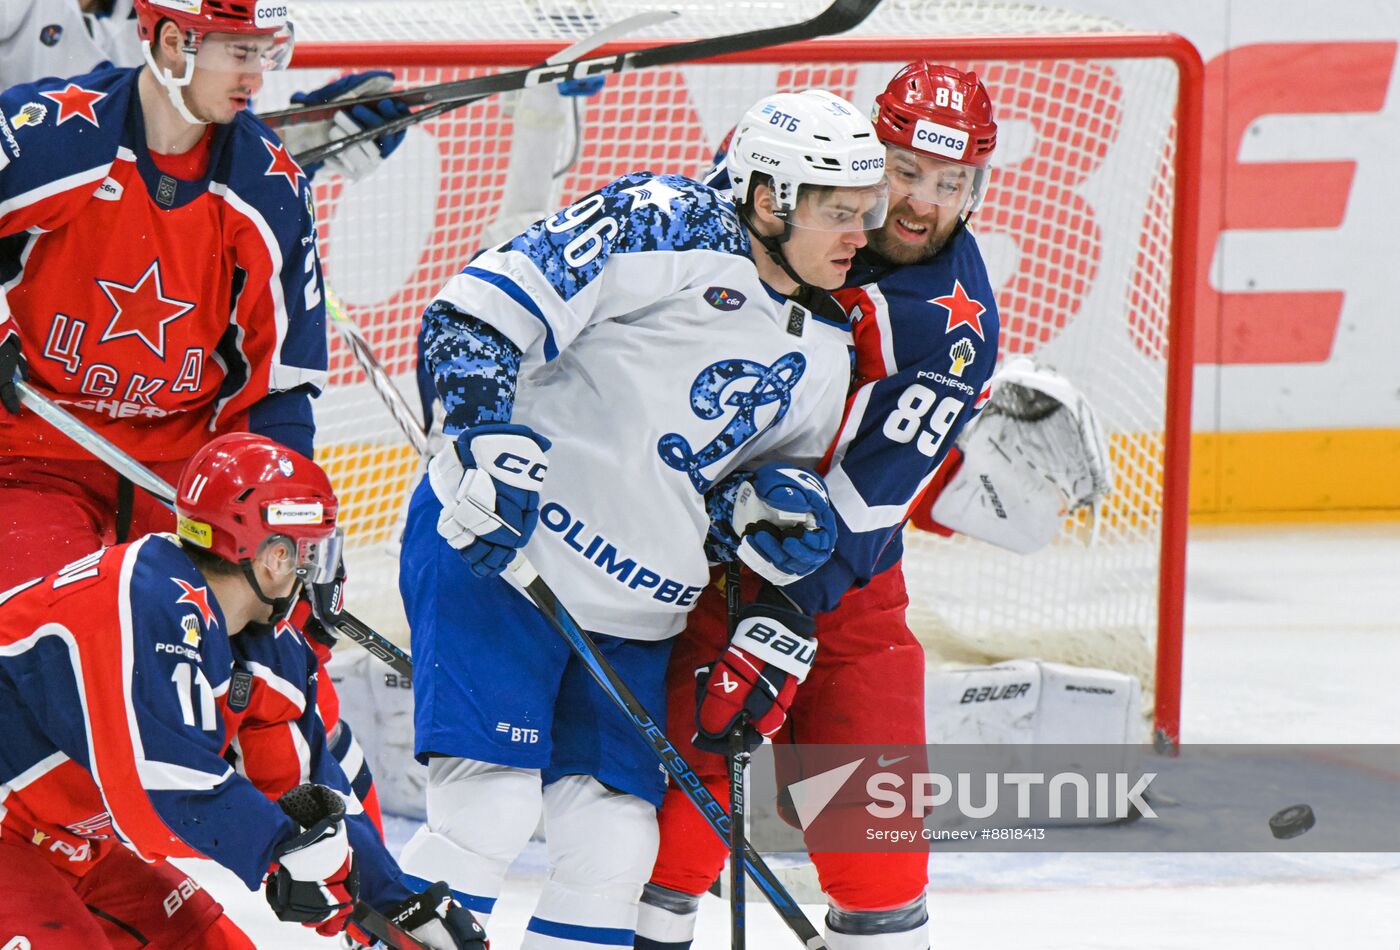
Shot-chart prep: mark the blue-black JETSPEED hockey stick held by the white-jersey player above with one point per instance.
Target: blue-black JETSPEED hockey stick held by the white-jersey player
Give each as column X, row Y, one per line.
column 619, row 693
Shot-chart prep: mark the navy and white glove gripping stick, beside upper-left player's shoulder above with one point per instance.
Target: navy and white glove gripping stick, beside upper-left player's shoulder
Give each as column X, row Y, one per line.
column 356, row 162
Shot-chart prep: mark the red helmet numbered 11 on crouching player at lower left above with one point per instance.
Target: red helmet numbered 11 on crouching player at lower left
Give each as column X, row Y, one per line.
column 241, row 490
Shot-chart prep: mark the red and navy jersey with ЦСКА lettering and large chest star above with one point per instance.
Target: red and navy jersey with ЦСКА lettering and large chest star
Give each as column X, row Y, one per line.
column 160, row 310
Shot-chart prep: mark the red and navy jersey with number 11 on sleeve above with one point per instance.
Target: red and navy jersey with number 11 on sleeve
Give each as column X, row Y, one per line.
column 132, row 717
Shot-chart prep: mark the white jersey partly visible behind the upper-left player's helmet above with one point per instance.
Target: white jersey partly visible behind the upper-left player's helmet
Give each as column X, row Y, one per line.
column 43, row 38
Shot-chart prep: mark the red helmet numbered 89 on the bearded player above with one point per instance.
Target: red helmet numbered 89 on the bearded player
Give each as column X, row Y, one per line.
column 939, row 111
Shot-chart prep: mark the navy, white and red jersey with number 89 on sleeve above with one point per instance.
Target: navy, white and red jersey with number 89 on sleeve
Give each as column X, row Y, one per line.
column 926, row 348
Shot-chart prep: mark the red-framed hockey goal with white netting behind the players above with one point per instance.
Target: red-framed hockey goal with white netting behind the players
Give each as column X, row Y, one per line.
column 1083, row 232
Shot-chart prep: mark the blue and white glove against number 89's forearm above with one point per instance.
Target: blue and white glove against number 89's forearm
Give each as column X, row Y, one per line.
column 783, row 523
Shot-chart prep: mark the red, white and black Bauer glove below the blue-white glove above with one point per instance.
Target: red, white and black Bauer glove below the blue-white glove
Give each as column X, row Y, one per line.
column 758, row 675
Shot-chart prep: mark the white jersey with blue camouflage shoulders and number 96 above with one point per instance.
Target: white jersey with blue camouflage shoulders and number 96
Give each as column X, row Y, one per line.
column 657, row 363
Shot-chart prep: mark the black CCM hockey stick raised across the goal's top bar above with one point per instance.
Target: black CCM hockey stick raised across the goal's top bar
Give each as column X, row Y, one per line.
column 839, row 17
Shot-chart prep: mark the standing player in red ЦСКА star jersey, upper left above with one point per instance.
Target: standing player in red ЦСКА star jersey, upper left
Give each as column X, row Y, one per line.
column 159, row 254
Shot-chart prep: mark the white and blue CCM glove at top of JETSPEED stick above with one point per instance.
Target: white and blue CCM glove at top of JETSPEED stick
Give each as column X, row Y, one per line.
column 489, row 483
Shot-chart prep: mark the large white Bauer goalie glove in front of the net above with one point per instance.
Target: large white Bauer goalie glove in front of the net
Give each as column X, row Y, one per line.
column 1034, row 455
